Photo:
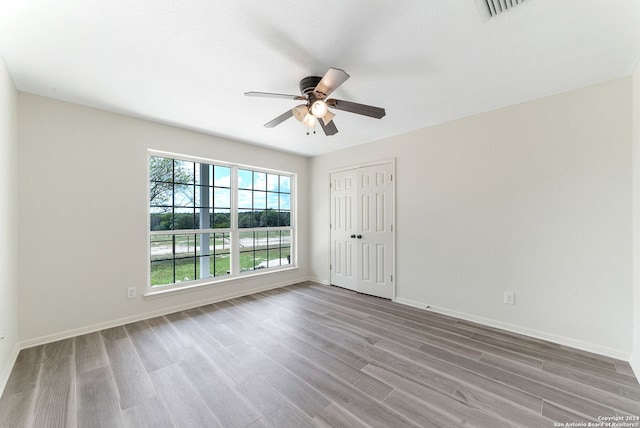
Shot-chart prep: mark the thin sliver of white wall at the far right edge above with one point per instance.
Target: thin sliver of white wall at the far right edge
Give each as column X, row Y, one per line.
column 635, row 359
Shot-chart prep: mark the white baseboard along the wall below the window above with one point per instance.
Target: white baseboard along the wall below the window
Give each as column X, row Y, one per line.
column 143, row 316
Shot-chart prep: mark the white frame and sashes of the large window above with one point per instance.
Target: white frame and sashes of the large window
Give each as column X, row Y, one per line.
column 234, row 230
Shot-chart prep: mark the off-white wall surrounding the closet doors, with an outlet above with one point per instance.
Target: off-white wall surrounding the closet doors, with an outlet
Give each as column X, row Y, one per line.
column 535, row 198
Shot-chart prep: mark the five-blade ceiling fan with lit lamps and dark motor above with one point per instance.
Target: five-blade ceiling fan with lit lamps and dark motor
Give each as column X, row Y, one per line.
column 315, row 90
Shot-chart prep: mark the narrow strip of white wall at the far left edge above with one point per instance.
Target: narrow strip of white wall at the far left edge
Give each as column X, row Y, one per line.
column 8, row 225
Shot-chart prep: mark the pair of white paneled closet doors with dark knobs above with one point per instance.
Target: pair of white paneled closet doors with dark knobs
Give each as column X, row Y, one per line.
column 362, row 244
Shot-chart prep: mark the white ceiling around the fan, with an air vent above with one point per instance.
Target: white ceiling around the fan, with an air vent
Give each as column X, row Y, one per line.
column 188, row 63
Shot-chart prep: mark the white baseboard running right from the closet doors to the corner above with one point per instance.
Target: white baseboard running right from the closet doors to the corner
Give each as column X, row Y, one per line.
column 560, row 340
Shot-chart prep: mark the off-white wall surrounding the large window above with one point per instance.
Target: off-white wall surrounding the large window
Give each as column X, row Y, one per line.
column 82, row 204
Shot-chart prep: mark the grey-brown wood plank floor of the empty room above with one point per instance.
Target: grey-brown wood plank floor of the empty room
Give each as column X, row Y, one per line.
column 312, row 355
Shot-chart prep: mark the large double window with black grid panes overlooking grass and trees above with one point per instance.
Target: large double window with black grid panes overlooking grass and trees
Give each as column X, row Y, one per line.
column 210, row 220
